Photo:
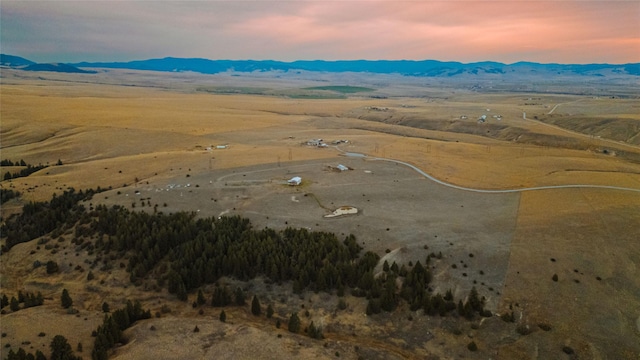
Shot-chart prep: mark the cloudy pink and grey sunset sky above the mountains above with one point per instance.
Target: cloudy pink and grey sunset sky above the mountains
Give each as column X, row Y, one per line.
column 558, row 31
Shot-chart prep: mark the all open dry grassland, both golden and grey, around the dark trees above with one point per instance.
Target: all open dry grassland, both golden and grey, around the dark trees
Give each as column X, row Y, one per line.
column 156, row 132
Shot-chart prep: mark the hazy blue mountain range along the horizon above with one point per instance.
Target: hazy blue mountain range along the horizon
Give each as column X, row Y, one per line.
column 428, row 68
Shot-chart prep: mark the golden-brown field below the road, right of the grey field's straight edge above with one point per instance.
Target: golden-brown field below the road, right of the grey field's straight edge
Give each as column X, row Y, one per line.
column 590, row 242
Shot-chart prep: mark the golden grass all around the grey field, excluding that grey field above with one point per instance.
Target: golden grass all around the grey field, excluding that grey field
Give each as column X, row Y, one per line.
column 159, row 128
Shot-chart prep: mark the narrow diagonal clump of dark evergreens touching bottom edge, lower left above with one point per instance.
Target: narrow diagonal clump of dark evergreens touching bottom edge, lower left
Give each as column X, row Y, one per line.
column 110, row 332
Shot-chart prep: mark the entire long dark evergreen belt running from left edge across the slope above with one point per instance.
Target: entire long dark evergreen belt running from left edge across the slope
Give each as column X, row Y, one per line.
column 181, row 252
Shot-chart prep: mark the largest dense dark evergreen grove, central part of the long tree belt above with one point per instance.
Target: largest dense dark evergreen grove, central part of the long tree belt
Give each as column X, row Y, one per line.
column 195, row 252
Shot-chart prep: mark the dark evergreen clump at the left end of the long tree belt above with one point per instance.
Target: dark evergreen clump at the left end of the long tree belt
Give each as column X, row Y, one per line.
column 40, row 218
